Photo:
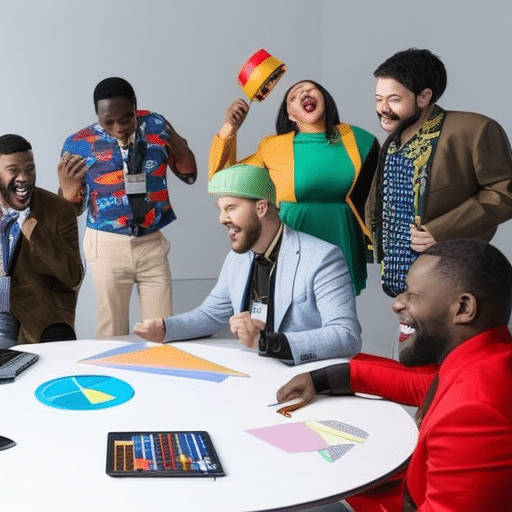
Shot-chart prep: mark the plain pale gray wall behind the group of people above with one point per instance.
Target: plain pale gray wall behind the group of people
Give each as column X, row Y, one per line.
column 182, row 59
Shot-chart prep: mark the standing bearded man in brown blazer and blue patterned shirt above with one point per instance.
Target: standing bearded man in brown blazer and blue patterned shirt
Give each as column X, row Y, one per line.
column 442, row 174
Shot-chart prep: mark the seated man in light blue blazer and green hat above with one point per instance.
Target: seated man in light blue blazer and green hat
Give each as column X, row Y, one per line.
column 286, row 293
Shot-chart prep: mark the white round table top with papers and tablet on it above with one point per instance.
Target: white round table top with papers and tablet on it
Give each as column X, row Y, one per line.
column 59, row 461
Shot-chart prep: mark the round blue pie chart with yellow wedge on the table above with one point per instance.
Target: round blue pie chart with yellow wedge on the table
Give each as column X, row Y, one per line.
column 84, row 392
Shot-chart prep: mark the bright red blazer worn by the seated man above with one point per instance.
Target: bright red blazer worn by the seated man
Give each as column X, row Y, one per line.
column 463, row 459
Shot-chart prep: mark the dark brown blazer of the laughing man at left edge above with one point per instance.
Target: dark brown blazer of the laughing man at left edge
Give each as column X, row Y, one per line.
column 46, row 268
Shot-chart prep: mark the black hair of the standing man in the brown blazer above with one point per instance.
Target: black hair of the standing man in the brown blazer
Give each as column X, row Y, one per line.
column 417, row 70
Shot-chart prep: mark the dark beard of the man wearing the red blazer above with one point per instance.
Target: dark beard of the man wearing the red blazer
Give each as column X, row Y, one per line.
column 428, row 345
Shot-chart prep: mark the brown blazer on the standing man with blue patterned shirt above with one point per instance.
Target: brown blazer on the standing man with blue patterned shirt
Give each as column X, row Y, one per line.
column 470, row 181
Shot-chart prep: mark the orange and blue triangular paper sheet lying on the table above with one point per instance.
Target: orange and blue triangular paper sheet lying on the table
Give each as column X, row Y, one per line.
column 163, row 360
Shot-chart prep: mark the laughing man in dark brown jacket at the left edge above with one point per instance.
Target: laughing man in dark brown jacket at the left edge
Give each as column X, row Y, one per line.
column 40, row 265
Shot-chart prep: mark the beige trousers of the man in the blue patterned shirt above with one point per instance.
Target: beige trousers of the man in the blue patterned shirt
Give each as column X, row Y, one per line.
column 117, row 262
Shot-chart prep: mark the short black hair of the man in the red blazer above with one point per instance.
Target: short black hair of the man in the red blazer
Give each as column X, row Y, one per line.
column 478, row 268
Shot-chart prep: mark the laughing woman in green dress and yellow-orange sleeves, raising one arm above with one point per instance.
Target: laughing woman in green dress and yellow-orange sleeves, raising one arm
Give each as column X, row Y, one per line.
column 322, row 169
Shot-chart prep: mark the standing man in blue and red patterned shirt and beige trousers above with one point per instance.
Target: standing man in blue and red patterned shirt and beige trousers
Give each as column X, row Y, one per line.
column 117, row 169
